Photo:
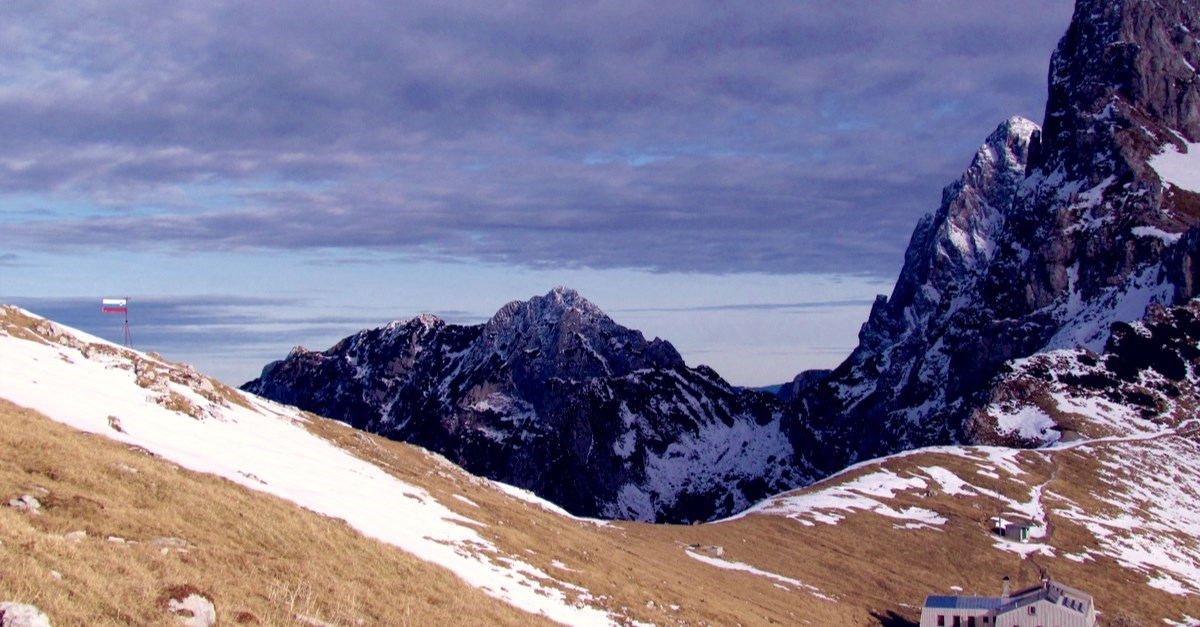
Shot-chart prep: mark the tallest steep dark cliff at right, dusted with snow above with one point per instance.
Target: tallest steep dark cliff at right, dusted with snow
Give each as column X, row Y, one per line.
column 1051, row 237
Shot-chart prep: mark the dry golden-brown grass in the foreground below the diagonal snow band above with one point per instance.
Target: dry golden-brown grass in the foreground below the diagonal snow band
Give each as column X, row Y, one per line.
column 261, row 559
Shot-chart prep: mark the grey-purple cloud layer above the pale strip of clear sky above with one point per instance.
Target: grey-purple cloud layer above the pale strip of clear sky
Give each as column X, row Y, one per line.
column 790, row 136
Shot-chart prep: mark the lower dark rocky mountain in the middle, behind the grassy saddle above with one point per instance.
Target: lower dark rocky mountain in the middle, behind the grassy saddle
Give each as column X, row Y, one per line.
column 555, row 397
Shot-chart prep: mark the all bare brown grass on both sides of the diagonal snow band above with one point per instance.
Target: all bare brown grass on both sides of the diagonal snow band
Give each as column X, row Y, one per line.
column 262, row 557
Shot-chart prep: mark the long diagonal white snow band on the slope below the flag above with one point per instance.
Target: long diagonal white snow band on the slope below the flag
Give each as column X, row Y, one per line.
column 202, row 426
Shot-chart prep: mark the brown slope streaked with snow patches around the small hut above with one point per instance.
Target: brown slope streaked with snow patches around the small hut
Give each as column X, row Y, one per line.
column 1117, row 516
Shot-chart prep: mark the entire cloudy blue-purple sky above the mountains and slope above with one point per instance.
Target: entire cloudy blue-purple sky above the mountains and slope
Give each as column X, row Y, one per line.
column 740, row 180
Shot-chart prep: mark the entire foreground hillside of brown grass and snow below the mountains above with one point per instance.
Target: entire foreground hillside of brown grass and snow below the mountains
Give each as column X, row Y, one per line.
column 1118, row 517
